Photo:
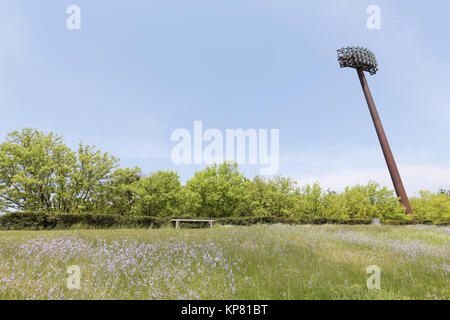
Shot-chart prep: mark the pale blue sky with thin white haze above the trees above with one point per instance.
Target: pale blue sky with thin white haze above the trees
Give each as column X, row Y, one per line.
column 136, row 71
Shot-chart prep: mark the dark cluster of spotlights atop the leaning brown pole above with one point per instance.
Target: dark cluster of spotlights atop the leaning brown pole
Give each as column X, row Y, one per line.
column 358, row 58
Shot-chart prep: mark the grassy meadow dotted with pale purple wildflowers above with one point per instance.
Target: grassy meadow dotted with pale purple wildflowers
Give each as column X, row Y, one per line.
column 258, row 262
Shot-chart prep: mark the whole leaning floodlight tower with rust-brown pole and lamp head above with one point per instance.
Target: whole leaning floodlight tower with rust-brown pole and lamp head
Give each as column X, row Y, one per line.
column 362, row 60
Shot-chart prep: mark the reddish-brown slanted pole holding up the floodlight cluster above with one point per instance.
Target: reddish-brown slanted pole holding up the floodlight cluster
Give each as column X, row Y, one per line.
column 395, row 175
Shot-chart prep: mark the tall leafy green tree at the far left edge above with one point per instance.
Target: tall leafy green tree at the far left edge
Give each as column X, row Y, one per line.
column 35, row 170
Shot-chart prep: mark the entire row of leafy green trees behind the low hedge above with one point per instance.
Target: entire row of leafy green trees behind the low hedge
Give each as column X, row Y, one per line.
column 38, row 172
